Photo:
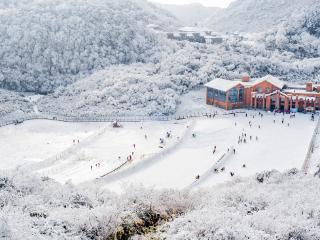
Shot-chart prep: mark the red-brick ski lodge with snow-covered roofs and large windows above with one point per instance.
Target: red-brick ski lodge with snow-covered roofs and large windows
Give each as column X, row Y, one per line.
column 267, row 93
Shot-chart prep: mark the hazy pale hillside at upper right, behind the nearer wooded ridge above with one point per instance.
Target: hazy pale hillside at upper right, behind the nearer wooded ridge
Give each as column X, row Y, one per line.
column 256, row 15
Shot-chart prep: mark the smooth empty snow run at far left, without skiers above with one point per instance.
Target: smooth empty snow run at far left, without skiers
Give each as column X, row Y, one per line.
column 34, row 141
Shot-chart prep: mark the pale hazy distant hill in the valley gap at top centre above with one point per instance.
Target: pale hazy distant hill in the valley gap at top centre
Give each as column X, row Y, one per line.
column 190, row 14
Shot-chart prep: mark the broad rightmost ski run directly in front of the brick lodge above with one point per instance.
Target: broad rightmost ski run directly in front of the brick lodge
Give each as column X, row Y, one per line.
column 279, row 147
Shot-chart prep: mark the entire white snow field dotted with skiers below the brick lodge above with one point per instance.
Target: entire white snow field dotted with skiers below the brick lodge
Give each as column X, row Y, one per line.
column 49, row 147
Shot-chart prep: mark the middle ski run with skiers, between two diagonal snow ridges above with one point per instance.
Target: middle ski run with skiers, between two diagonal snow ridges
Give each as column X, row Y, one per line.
column 118, row 144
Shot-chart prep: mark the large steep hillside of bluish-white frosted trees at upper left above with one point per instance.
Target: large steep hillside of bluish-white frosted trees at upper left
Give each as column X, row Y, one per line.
column 44, row 44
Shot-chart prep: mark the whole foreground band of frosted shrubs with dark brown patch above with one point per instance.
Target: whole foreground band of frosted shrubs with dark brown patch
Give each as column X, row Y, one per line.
column 271, row 206
